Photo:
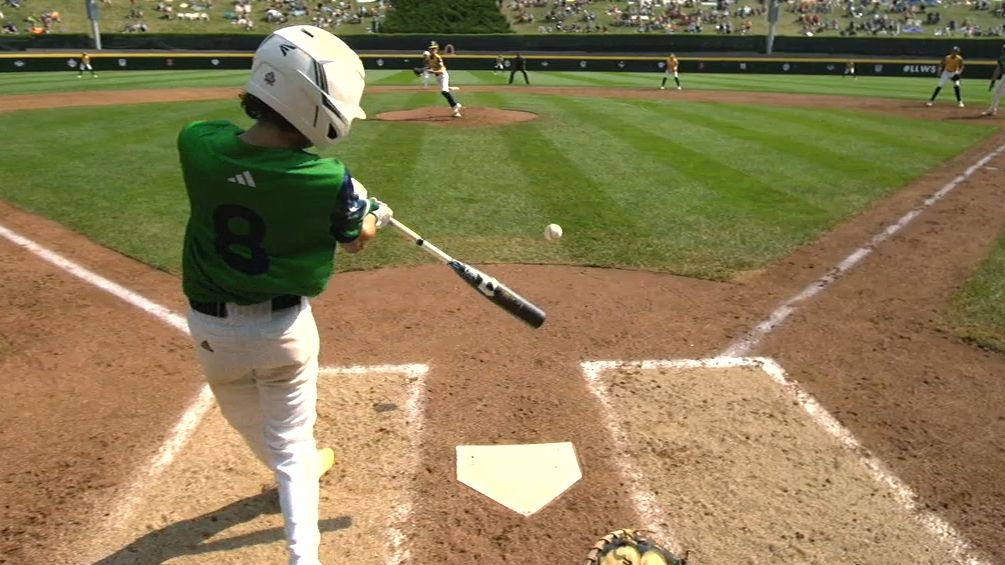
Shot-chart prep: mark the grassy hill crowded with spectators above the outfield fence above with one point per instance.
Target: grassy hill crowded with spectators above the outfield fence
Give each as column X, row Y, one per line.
column 926, row 19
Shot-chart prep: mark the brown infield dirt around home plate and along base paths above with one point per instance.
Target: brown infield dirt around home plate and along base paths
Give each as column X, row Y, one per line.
column 94, row 387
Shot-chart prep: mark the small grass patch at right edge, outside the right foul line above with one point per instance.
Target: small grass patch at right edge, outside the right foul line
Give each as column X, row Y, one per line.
column 979, row 314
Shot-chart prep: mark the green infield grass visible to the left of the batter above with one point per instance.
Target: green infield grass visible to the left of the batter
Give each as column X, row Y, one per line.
column 135, row 205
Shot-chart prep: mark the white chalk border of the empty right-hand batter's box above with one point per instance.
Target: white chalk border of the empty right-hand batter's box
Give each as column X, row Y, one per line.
column 647, row 506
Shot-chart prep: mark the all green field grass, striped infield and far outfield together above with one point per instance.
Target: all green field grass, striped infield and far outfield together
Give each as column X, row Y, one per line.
column 699, row 190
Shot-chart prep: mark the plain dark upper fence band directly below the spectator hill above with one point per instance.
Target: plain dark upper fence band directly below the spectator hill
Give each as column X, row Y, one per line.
column 904, row 47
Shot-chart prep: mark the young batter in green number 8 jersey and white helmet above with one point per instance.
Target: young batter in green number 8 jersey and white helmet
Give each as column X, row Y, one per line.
column 266, row 220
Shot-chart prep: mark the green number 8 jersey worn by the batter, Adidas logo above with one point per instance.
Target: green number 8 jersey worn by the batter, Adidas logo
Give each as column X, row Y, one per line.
column 264, row 222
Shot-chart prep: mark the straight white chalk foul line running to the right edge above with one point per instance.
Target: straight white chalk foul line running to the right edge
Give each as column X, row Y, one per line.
column 749, row 341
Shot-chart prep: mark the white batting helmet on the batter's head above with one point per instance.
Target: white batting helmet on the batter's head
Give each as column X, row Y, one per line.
column 312, row 79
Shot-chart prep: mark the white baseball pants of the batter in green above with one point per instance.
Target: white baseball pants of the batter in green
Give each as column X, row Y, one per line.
column 263, row 369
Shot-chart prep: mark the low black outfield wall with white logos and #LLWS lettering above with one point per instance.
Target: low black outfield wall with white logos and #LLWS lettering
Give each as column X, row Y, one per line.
column 105, row 61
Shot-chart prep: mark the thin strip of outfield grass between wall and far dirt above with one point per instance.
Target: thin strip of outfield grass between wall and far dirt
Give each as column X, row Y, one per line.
column 975, row 85
